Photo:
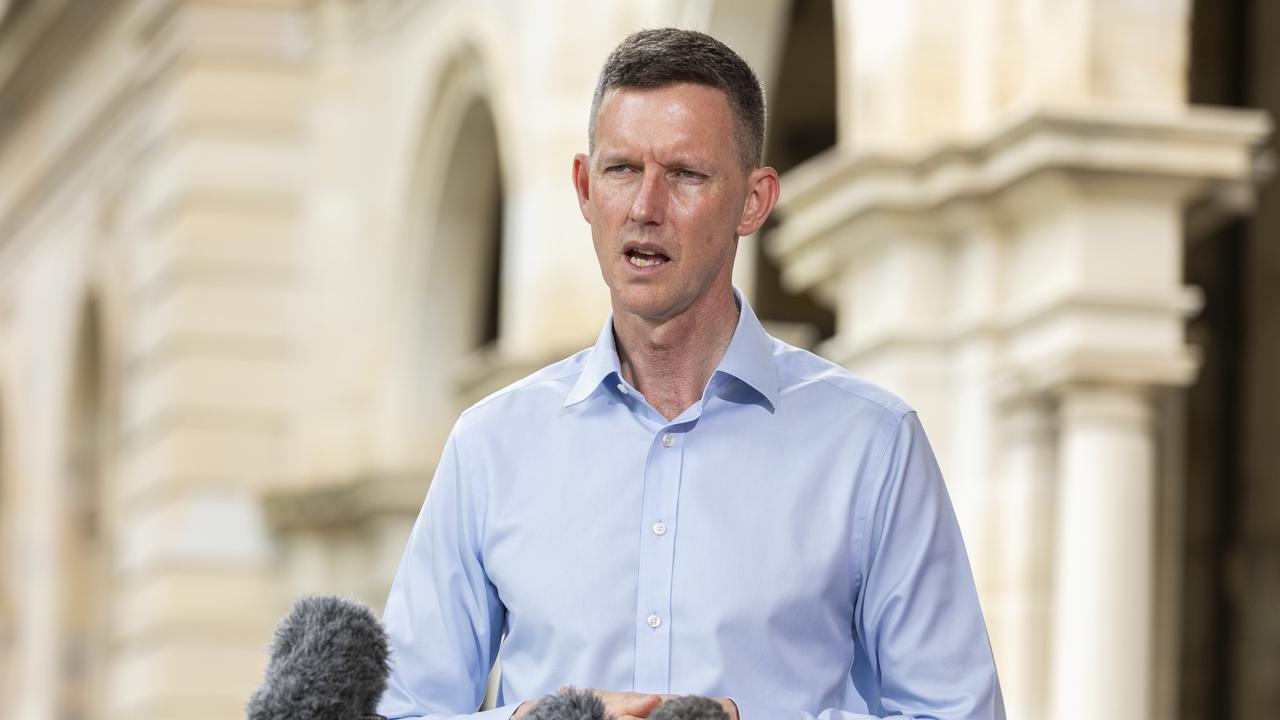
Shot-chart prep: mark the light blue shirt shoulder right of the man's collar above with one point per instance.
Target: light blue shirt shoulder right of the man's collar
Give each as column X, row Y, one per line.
column 817, row 380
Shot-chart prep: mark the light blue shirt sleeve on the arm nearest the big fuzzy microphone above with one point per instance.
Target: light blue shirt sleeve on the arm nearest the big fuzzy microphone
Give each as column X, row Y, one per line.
column 444, row 616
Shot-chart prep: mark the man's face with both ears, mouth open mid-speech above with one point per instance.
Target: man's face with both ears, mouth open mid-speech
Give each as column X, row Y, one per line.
column 668, row 198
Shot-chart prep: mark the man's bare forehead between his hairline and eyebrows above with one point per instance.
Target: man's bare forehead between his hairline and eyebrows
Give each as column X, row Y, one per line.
column 693, row 119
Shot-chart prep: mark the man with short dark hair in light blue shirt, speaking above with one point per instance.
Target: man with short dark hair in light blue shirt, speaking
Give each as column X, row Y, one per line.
column 691, row 507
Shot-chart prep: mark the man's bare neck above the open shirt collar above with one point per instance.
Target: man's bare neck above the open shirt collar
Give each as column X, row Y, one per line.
column 671, row 361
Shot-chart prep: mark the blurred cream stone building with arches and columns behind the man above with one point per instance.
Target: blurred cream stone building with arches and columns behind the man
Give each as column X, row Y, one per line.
column 255, row 257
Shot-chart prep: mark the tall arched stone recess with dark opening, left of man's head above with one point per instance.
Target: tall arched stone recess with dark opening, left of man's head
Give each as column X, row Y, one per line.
column 449, row 270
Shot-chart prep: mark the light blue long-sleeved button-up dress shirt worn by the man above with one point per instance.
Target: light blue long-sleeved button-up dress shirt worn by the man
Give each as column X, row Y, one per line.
column 787, row 543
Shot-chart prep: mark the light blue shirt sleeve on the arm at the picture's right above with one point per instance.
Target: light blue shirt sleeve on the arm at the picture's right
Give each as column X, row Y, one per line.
column 922, row 641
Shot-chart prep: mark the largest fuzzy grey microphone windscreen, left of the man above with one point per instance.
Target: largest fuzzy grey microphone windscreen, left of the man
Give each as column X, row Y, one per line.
column 330, row 662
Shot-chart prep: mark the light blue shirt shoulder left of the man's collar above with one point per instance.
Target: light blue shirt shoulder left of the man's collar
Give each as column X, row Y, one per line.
column 534, row 395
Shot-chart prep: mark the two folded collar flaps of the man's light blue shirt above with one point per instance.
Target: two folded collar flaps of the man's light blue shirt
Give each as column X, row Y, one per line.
column 749, row 358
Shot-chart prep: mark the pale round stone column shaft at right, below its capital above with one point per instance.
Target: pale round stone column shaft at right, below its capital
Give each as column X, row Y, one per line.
column 1105, row 555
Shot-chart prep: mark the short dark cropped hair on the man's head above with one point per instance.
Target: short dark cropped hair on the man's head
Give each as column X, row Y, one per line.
column 656, row 58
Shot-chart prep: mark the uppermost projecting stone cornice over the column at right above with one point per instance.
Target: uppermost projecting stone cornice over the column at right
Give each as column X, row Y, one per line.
column 830, row 202
